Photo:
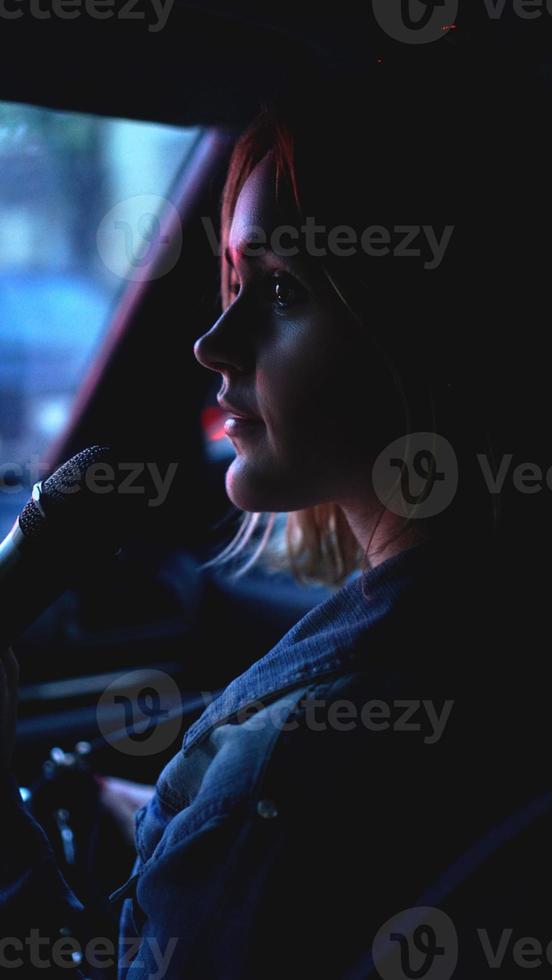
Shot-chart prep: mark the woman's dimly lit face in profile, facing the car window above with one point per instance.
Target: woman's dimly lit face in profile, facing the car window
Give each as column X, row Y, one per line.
column 291, row 355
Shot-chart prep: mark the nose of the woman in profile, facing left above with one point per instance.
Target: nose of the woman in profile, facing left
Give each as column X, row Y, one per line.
column 226, row 343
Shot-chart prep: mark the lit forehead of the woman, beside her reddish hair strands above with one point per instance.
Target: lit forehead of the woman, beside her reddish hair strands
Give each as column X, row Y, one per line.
column 257, row 207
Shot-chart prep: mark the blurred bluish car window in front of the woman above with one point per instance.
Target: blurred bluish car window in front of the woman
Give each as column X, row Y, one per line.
column 81, row 198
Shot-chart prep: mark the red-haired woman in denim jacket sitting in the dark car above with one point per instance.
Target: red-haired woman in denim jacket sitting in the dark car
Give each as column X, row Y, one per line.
column 337, row 811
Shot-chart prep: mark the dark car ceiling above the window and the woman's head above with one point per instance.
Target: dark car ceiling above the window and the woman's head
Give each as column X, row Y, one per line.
column 212, row 62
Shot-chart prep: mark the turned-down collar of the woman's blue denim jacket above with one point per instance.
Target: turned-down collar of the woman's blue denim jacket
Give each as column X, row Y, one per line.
column 322, row 642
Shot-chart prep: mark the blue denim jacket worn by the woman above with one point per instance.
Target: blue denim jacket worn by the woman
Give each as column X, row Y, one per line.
column 326, row 790
